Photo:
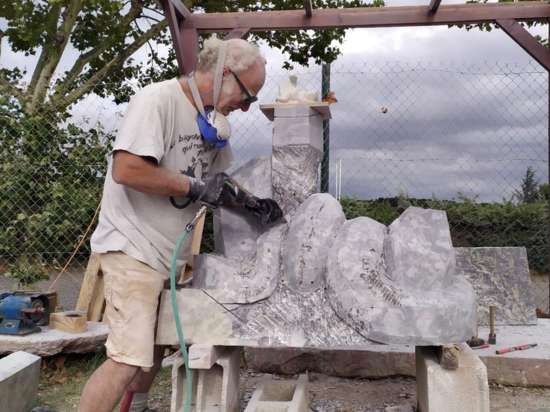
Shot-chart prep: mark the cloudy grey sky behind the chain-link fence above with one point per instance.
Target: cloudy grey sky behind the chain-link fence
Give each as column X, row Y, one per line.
column 423, row 111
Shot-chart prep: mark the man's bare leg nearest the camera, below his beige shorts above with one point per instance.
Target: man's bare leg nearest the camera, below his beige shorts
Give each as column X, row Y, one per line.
column 106, row 386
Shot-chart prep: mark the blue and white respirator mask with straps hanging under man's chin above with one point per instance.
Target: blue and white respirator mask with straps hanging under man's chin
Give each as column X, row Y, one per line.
column 213, row 126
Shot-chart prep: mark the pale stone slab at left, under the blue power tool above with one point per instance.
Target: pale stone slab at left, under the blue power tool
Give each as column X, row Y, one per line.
column 50, row 342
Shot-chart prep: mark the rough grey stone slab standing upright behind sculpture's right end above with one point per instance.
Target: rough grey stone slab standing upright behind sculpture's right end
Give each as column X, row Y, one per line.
column 500, row 277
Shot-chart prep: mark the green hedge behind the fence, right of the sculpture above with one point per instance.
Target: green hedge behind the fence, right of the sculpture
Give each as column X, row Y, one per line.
column 474, row 224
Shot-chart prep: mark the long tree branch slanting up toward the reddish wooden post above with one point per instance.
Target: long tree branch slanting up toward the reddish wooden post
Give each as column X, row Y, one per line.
column 61, row 103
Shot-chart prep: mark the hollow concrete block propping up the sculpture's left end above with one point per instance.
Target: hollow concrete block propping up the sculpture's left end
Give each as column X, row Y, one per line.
column 215, row 389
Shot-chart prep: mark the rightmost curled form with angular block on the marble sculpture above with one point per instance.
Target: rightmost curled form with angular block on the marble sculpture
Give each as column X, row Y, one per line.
column 371, row 286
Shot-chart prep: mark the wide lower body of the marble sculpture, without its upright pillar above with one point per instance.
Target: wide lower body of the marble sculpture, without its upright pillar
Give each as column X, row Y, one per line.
column 357, row 295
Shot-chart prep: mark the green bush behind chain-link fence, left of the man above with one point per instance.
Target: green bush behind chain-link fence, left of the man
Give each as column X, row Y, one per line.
column 51, row 184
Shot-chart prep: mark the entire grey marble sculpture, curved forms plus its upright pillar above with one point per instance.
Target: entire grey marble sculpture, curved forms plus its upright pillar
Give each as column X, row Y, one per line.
column 319, row 280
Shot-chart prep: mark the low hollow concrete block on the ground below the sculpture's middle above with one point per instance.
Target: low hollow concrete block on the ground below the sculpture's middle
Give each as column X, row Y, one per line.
column 280, row 396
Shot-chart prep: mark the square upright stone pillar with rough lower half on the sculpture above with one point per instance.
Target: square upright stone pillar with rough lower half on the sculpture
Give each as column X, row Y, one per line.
column 297, row 152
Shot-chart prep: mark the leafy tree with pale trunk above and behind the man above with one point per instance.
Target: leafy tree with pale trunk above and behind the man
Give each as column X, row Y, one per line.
column 106, row 33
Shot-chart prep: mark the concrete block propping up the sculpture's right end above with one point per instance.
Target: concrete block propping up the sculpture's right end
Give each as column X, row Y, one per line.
column 463, row 389
